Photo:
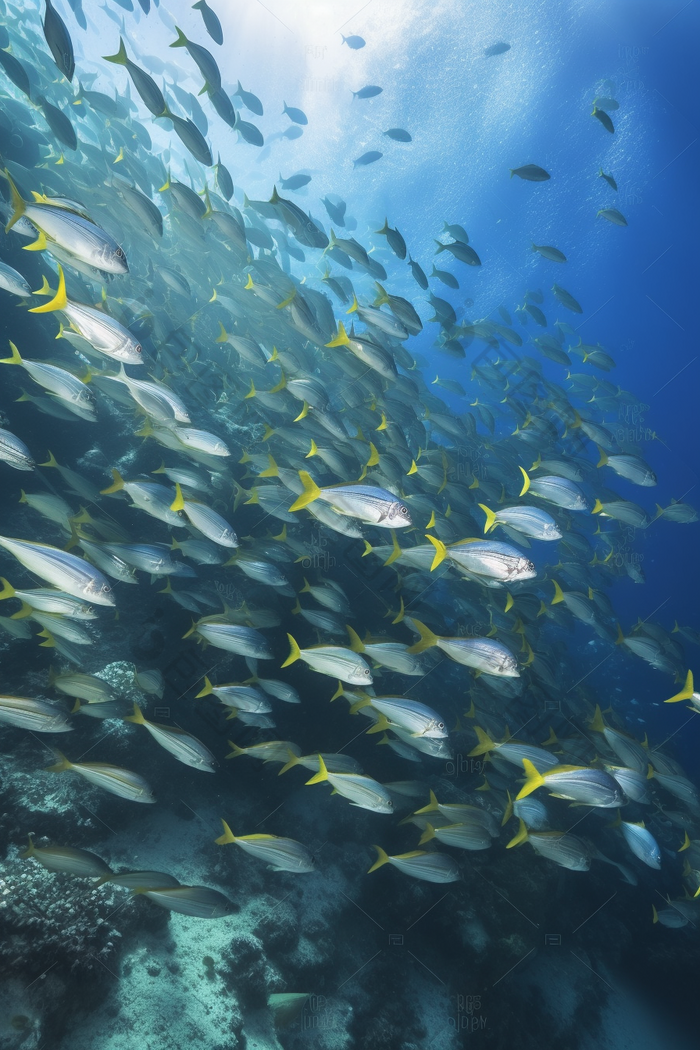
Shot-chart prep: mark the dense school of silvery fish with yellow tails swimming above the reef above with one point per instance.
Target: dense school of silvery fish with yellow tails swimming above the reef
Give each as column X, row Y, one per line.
column 277, row 431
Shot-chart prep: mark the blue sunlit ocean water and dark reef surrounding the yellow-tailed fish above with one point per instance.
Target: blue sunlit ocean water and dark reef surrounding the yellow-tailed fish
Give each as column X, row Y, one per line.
column 520, row 949
